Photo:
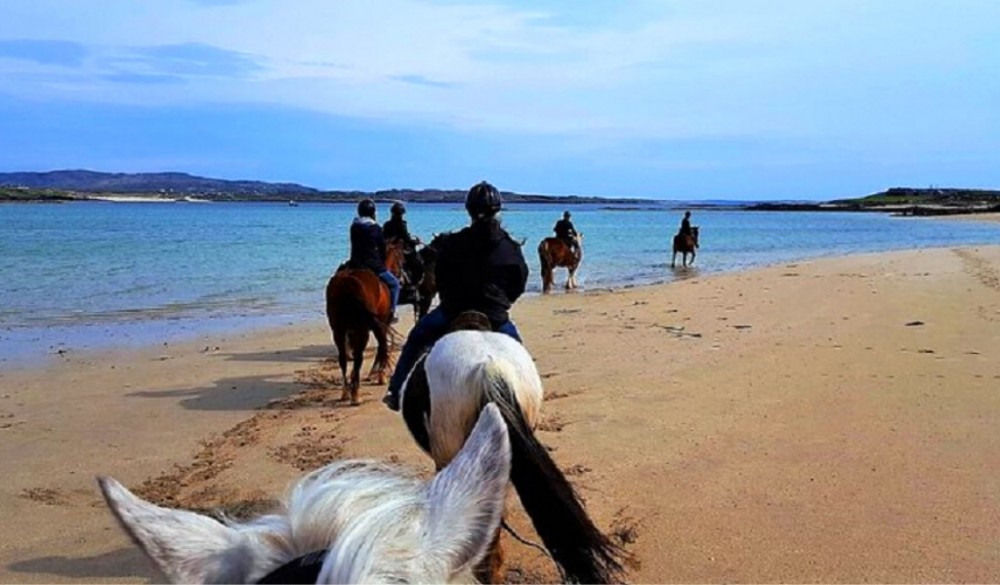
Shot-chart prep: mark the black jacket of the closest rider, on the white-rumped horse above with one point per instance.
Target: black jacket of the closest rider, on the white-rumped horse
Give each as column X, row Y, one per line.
column 481, row 268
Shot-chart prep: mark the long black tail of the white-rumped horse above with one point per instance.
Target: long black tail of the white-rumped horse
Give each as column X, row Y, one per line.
column 583, row 554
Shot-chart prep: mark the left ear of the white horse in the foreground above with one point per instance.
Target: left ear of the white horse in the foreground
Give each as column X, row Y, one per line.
column 187, row 547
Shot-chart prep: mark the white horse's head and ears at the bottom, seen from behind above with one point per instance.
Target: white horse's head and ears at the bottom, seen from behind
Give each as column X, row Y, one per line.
column 349, row 522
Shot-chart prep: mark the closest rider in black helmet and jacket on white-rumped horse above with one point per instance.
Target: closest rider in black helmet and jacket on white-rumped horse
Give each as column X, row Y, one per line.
column 479, row 268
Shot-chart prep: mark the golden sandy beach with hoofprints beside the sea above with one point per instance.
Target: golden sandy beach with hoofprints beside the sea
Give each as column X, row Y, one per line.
column 826, row 421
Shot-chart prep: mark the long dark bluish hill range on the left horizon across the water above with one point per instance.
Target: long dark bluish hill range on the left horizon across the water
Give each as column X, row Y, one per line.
column 82, row 184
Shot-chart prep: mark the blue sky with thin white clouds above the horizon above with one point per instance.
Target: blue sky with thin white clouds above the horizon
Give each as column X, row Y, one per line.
column 666, row 99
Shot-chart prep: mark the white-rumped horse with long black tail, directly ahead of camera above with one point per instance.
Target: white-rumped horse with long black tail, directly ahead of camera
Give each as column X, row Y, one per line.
column 441, row 399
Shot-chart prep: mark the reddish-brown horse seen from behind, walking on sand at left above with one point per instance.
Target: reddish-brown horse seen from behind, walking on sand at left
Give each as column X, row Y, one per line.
column 358, row 303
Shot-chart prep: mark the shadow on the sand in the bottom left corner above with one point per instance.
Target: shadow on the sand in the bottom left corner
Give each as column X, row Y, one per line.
column 116, row 564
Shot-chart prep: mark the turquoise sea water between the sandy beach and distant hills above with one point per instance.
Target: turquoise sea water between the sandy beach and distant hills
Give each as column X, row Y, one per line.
column 85, row 274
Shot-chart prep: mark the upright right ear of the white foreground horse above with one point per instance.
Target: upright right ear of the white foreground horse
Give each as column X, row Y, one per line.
column 466, row 498
